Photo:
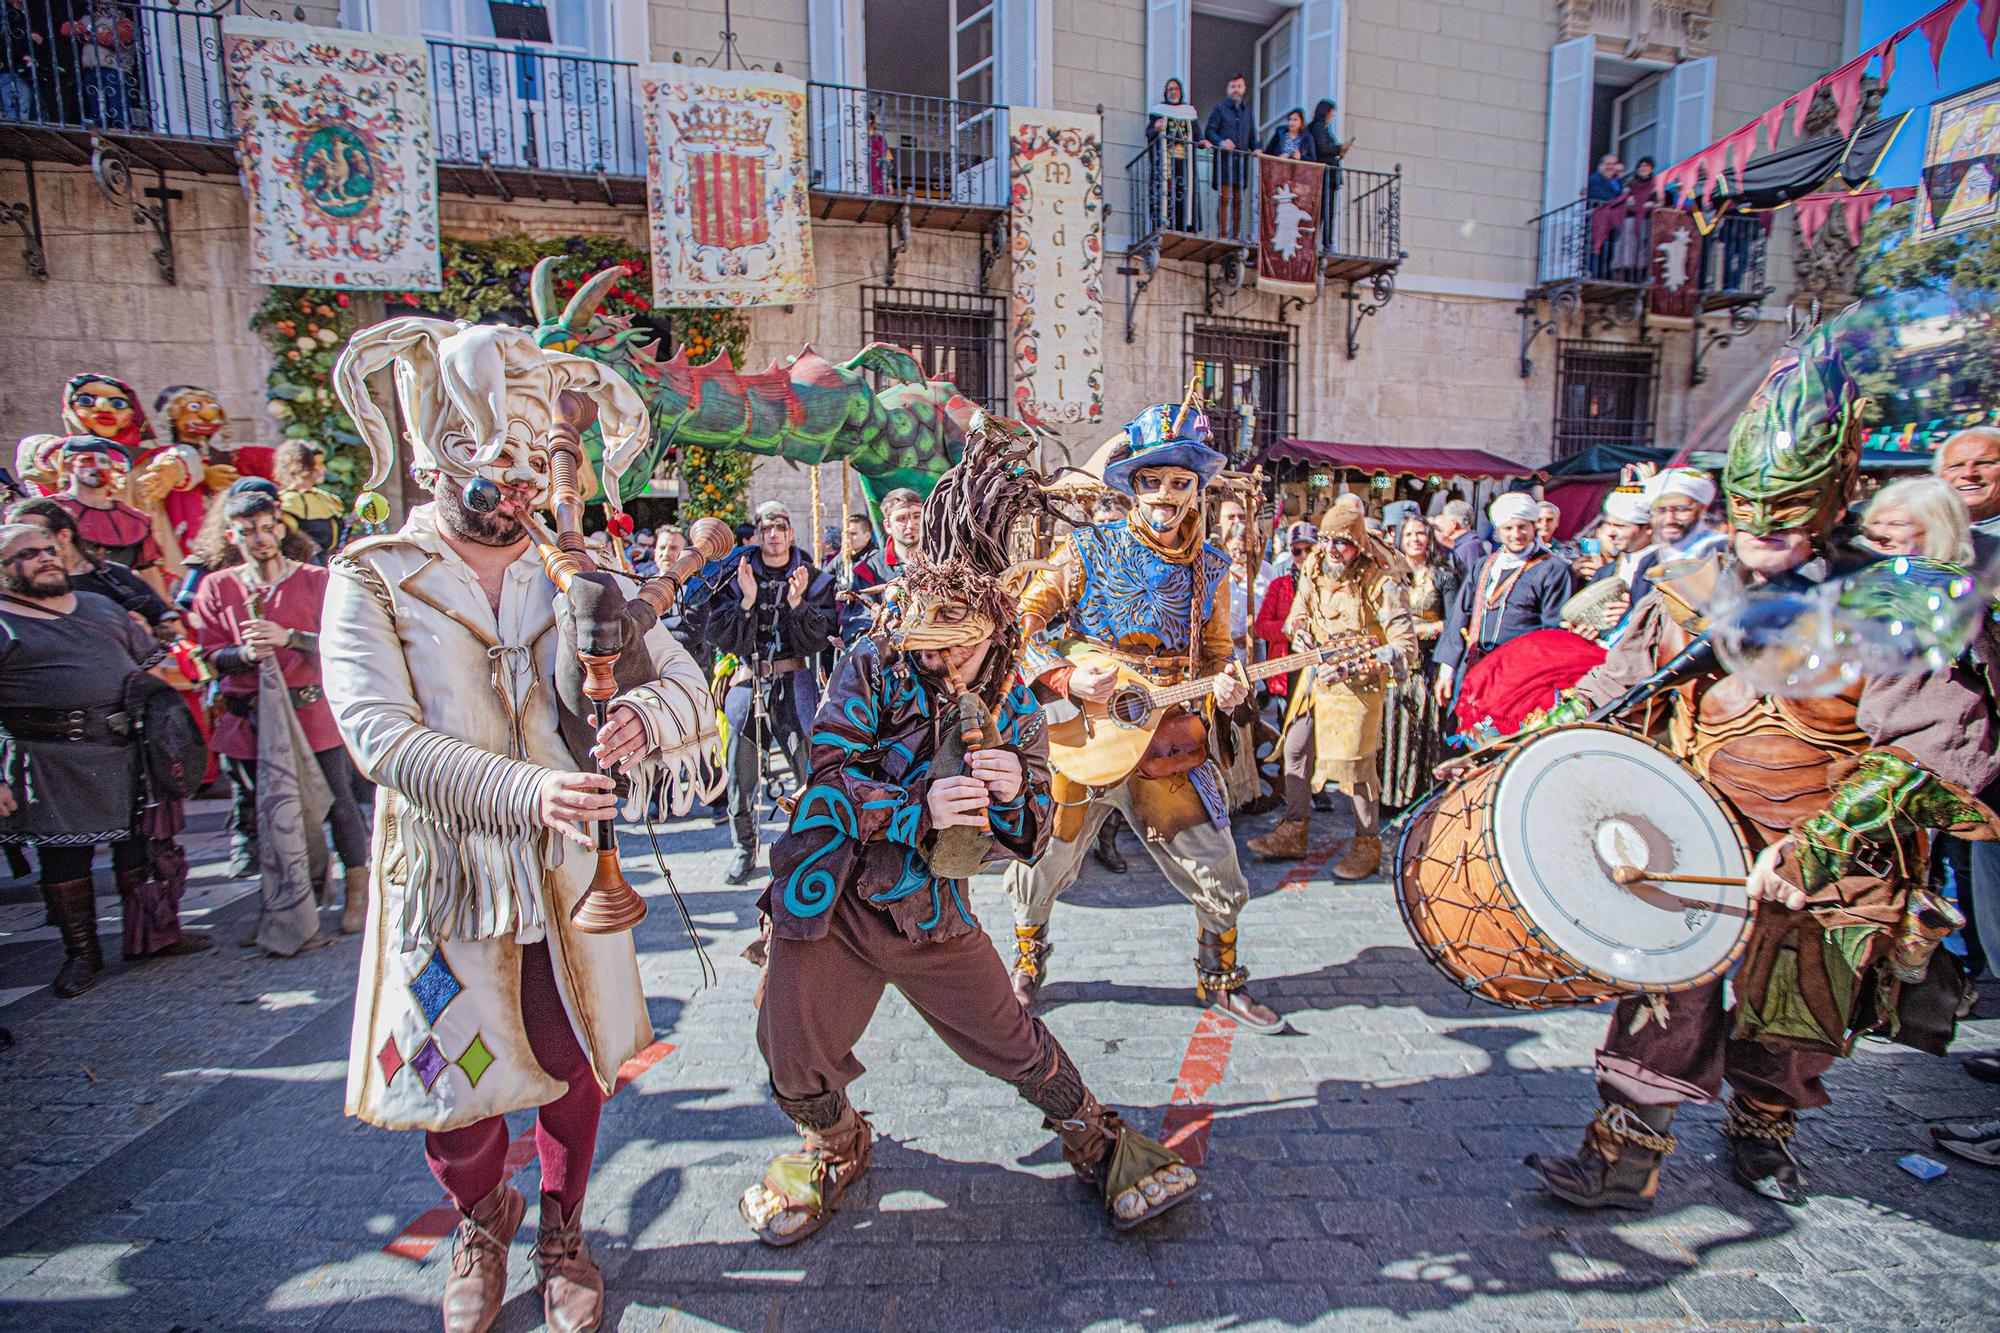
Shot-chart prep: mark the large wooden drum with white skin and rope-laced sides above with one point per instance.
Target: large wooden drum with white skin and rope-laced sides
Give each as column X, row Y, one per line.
column 1505, row 880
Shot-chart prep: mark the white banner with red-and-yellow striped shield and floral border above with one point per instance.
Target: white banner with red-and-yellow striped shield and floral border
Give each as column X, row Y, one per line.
column 727, row 187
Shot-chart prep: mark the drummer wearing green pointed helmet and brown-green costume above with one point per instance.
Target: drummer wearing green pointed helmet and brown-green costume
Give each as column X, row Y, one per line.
column 1839, row 792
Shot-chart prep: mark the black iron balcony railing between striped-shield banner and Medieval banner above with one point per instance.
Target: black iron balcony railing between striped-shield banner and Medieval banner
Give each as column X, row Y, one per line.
column 875, row 145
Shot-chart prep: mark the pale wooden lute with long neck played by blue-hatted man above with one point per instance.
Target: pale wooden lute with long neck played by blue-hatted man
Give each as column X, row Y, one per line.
column 1105, row 742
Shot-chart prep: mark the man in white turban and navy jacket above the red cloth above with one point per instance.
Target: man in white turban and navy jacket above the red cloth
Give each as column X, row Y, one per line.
column 1517, row 589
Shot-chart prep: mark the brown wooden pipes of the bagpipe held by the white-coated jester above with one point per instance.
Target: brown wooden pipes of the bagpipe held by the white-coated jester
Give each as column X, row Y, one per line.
column 611, row 904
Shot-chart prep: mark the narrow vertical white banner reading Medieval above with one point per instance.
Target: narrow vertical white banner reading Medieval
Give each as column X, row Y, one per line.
column 1057, row 221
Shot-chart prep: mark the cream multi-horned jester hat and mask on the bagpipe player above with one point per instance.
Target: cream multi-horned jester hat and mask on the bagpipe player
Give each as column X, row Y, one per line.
column 481, row 401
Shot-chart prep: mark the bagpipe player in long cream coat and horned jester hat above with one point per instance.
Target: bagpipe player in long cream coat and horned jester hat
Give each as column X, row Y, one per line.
column 479, row 996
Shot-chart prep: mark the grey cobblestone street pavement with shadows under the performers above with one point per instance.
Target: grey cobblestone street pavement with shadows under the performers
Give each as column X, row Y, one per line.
column 173, row 1152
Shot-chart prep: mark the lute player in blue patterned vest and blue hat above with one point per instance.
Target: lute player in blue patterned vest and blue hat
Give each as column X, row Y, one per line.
column 1145, row 595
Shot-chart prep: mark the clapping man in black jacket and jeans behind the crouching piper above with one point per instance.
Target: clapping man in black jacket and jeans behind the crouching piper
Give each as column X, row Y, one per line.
column 773, row 617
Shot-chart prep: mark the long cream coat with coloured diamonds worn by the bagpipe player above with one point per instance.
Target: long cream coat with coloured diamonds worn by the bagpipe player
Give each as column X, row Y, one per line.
column 451, row 710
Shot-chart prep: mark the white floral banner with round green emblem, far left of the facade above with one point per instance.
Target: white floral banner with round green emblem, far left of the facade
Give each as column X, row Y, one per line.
column 333, row 137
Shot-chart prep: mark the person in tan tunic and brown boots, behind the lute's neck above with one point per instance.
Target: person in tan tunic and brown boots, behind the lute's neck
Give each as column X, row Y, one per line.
column 1333, row 726
